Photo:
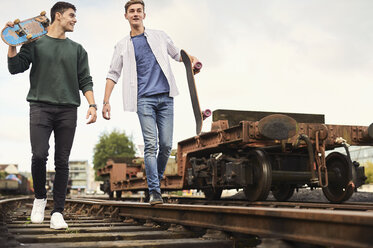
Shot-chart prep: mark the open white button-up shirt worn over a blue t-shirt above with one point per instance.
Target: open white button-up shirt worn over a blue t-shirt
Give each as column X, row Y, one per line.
column 124, row 59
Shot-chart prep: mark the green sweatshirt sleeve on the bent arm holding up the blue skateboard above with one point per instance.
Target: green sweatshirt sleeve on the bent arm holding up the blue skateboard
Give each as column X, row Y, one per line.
column 21, row 62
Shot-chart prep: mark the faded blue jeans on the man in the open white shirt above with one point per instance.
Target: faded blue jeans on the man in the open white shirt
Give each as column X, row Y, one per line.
column 156, row 115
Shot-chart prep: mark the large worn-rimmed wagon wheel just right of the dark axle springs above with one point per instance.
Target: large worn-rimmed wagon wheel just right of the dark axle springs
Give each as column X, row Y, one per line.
column 262, row 176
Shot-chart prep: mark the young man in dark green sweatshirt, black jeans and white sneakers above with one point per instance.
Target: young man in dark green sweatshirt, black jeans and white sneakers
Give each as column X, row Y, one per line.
column 59, row 70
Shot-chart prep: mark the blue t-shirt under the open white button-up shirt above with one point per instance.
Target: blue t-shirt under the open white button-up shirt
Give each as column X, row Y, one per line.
column 150, row 77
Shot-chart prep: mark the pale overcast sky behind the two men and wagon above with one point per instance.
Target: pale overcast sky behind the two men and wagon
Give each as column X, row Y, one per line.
column 305, row 56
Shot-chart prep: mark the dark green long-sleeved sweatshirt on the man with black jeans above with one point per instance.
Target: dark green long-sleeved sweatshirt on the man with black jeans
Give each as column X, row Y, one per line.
column 59, row 70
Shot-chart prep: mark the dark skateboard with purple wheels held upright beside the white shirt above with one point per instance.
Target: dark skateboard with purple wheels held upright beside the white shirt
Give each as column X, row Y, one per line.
column 199, row 115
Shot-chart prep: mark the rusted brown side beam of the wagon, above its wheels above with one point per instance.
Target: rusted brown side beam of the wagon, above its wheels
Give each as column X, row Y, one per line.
column 248, row 134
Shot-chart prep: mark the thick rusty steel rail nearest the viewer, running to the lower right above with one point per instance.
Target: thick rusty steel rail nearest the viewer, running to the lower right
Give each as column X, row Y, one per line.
column 316, row 226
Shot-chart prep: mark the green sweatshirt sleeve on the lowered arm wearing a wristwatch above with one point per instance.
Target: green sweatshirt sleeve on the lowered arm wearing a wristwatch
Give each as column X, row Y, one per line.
column 84, row 77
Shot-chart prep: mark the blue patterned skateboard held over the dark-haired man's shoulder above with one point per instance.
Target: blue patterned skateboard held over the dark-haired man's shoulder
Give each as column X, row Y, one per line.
column 25, row 31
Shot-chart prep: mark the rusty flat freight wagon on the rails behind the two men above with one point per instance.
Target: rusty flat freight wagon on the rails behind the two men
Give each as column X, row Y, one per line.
column 258, row 152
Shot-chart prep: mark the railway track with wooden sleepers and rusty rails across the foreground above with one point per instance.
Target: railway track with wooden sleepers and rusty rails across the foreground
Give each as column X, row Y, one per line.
column 103, row 223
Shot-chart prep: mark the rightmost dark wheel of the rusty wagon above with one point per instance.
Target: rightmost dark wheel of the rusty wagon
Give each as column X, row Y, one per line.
column 338, row 189
